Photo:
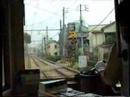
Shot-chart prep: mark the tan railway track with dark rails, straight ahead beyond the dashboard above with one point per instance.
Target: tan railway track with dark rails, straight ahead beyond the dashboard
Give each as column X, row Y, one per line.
column 50, row 70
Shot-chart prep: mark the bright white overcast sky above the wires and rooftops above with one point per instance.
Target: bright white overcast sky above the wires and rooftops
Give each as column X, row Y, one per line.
column 42, row 13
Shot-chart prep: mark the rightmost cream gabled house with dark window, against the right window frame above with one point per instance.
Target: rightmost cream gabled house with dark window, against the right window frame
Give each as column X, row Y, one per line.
column 110, row 38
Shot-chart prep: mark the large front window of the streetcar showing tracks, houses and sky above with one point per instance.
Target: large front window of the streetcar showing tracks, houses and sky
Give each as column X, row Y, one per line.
column 63, row 38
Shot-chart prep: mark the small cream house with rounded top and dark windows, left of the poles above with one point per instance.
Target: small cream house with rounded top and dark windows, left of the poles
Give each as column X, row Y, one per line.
column 53, row 48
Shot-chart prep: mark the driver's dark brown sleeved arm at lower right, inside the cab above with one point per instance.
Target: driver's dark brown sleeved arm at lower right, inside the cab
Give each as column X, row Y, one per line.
column 112, row 73
